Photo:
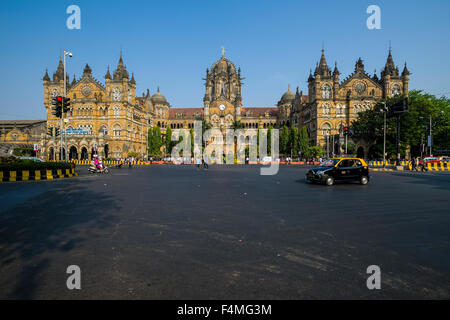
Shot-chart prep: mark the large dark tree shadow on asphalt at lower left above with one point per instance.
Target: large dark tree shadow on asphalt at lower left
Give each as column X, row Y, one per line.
column 29, row 238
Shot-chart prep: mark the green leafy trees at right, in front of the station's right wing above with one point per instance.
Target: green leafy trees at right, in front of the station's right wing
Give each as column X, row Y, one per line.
column 414, row 125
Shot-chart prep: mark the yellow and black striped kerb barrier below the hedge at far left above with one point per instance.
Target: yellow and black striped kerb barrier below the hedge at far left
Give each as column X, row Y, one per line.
column 26, row 175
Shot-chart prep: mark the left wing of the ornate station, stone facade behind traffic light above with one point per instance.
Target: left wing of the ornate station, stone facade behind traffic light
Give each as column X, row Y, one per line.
column 115, row 119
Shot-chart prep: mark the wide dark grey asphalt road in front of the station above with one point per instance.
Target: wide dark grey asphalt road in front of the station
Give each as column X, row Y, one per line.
column 172, row 232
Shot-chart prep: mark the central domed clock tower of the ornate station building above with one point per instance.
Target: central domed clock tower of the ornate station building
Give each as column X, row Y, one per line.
column 222, row 100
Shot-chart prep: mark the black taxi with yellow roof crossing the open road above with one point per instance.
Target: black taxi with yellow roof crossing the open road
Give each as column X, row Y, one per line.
column 340, row 169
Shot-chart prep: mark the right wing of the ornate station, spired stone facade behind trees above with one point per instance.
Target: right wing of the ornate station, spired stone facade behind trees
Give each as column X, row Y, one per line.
column 332, row 104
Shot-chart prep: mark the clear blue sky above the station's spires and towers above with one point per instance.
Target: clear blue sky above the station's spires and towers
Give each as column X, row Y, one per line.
column 171, row 43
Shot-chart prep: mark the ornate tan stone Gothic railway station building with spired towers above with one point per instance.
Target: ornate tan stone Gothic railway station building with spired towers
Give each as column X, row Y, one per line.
column 115, row 121
